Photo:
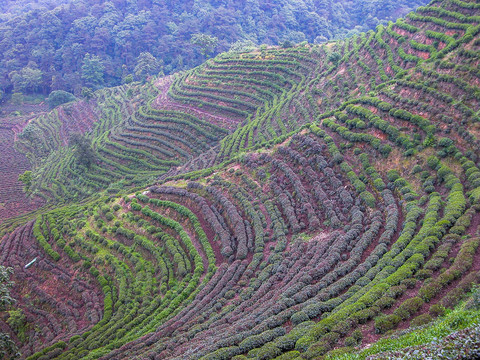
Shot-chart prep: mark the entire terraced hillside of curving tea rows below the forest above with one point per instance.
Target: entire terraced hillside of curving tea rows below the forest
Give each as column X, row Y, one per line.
column 300, row 200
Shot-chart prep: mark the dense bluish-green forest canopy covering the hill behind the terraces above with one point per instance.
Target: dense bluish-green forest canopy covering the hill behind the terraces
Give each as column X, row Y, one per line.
column 51, row 45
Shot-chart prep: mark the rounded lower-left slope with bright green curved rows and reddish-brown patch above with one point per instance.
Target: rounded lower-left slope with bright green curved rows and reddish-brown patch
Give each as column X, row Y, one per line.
column 147, row 262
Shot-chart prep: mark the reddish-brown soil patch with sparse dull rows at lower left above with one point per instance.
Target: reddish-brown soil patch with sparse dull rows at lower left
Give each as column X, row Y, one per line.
column 58, row 301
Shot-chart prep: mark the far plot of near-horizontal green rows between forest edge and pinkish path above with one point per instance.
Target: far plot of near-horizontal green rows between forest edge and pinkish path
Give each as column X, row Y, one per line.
column 239, row 84
